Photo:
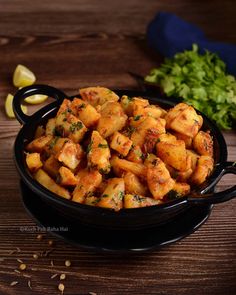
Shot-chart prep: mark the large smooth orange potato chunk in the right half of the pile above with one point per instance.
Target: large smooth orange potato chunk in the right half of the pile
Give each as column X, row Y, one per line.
column 174, row 154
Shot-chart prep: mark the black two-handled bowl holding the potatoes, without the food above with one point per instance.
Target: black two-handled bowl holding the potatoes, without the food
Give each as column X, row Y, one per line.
column 126, row 218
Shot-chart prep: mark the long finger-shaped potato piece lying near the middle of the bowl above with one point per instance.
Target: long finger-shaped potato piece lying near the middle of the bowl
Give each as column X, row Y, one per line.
column 136, row 168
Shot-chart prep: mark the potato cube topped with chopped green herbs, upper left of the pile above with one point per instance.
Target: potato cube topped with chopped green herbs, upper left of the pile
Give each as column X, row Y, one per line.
column 67, row 125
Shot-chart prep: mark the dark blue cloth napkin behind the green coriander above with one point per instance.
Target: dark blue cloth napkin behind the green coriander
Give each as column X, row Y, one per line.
column 169, row 34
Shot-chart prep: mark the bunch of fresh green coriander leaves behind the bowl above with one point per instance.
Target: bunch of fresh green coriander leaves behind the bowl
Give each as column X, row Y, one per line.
column 201, row 81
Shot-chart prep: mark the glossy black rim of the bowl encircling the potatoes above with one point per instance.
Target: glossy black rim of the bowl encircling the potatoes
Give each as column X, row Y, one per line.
column 46, row 111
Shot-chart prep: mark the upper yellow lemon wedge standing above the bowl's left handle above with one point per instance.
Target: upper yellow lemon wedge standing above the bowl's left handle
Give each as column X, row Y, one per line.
column 23, row 76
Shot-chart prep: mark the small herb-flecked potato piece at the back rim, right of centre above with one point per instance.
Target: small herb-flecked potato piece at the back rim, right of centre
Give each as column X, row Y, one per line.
column 130, row 103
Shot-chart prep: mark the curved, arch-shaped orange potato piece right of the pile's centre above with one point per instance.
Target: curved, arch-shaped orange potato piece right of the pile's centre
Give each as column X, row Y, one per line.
column 138, row 136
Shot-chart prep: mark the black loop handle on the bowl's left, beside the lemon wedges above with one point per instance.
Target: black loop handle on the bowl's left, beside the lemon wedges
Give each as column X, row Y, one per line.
column 31, row 90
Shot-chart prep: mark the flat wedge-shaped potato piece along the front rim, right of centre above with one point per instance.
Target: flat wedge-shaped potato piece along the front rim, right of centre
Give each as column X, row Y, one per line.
column 136, row 201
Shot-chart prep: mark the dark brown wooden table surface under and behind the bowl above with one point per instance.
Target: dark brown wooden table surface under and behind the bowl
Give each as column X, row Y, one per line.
column 75, row 43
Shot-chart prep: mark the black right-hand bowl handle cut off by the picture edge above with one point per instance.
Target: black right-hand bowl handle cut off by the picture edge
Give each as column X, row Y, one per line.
column 214, row 198
